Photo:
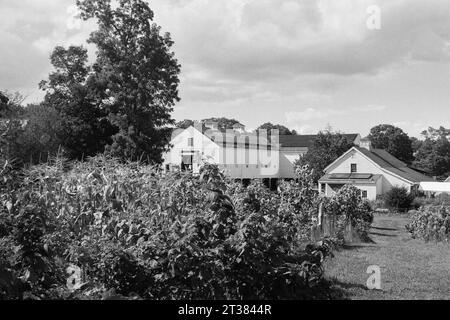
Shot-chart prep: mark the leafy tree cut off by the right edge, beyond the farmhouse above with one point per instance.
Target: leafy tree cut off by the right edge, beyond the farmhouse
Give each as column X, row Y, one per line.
column 434, row 152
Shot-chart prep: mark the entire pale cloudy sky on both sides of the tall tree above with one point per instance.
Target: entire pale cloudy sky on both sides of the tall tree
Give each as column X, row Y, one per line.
column 306, row 64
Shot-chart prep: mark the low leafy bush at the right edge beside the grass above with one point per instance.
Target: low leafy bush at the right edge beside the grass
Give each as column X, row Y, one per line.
column 431, row 224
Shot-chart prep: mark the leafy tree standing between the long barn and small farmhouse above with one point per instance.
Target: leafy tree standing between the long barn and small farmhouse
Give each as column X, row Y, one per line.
column 327, row 147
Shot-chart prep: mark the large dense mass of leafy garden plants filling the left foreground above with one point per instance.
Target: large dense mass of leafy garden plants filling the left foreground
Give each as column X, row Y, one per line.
column 135, row 232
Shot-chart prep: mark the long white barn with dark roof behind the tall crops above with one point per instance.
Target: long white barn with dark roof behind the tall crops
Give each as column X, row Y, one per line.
column 241, row 154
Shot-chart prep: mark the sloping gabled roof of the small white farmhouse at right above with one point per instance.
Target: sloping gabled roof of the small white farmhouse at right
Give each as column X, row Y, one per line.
column 388, row 162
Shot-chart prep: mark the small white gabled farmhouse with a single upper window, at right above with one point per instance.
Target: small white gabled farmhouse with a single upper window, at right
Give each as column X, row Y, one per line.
column 373, row 171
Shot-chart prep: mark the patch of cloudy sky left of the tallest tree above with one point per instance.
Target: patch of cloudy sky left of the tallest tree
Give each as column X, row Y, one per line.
column 29, row 31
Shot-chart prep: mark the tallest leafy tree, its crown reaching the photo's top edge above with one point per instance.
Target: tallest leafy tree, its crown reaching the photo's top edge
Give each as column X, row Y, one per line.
column 135, row 76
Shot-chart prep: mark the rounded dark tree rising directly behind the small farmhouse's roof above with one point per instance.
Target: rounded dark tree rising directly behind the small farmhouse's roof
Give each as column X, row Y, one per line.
column 393, row 140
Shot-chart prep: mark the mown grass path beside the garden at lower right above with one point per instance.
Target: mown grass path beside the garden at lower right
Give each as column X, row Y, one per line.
column 410, row 268
